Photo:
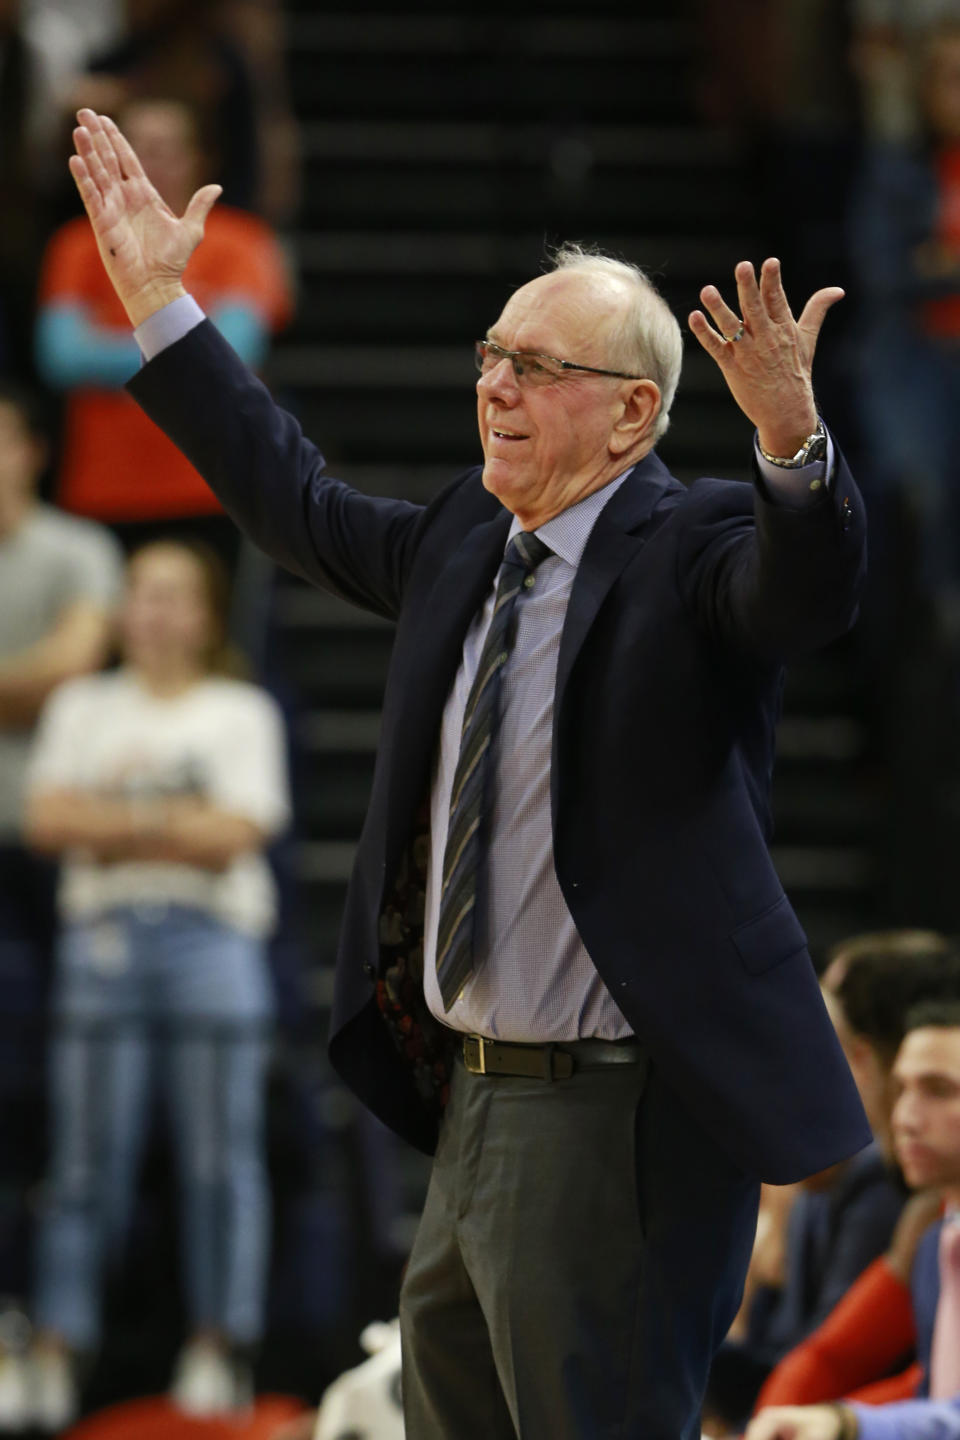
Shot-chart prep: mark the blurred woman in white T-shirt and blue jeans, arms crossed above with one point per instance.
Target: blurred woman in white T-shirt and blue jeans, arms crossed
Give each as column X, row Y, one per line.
column 159, row 786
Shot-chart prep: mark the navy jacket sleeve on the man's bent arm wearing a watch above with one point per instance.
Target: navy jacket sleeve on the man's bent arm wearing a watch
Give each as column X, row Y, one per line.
column 768, row 580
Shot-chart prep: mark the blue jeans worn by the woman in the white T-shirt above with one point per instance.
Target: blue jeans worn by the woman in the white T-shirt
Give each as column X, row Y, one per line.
column 175, row 993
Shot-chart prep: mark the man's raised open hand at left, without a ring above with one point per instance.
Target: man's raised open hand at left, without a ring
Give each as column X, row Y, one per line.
column 143, row 244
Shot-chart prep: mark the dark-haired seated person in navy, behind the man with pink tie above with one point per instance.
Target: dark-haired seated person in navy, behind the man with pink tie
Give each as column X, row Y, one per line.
column 840, row 1222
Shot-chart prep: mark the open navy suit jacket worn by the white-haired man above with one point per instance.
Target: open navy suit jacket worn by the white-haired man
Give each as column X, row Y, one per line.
column 669, row 688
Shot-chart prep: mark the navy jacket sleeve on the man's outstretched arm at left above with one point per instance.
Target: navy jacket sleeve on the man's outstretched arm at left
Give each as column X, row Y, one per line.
column 274, row 482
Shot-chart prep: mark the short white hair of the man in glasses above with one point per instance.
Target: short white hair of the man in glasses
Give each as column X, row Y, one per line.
column 648, row 341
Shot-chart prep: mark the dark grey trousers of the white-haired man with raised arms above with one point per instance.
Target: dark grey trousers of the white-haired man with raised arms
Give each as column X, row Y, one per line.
column 548, row 1295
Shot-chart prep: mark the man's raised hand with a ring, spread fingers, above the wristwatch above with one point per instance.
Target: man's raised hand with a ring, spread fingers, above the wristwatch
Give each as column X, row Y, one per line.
column 769, row 368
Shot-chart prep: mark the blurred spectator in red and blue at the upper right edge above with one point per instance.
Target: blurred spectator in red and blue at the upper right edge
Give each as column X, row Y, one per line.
column 906, row 250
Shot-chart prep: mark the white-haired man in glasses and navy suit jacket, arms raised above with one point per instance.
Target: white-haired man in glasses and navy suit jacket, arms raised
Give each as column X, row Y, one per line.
column 589, row 993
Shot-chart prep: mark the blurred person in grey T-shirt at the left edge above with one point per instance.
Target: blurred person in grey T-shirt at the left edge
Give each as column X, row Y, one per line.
column 60, row 580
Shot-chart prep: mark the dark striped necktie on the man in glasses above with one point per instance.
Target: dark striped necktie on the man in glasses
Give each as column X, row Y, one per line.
column 470, row 798
